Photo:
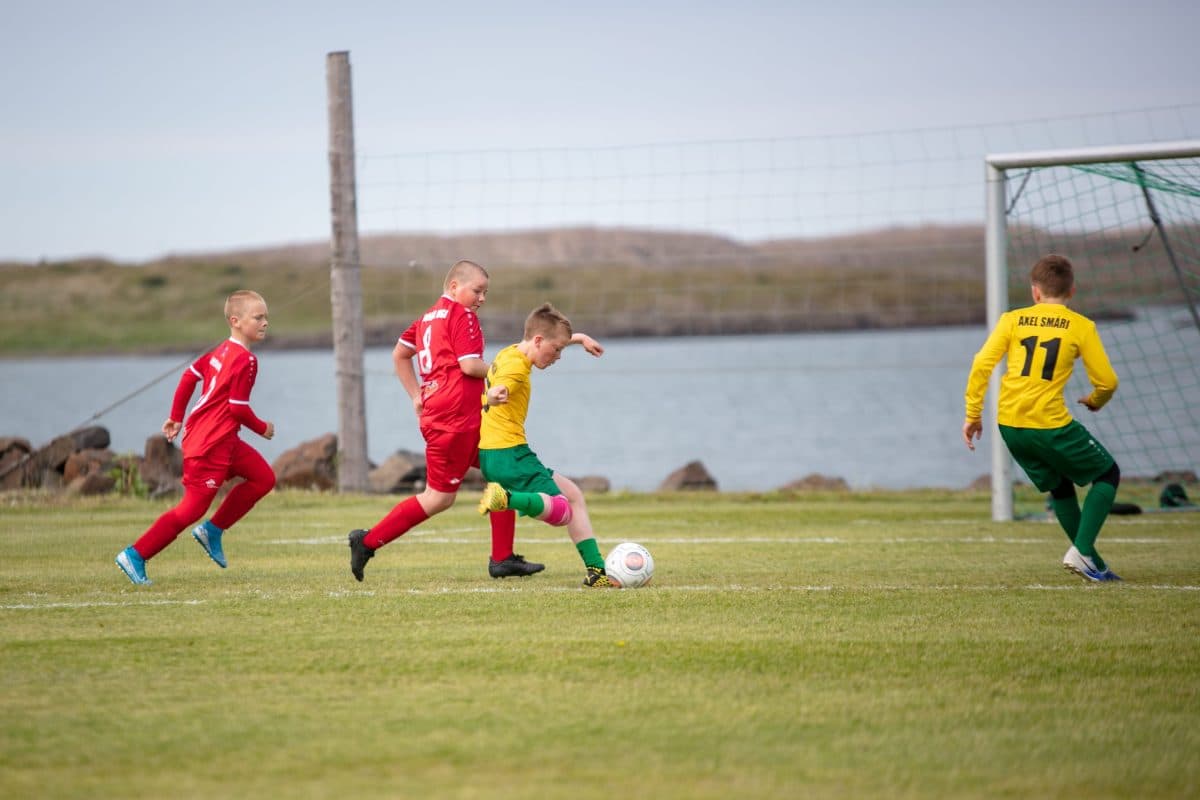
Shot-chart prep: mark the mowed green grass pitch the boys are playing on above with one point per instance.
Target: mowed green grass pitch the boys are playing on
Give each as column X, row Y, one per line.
column 826, row 646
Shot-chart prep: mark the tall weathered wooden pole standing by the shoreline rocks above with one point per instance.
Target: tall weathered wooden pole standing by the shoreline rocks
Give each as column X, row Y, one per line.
column 345, row 281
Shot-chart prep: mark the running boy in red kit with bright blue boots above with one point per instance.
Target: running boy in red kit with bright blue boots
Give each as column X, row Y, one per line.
column 213, row 450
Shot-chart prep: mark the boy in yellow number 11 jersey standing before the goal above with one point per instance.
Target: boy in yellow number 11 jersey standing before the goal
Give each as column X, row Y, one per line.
column 1042, row 344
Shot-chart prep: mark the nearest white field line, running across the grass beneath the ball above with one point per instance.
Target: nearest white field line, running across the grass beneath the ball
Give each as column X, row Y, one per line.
column 525, row 590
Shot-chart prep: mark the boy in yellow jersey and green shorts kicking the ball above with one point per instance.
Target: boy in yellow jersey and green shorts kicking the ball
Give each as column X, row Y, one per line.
column 517, row 478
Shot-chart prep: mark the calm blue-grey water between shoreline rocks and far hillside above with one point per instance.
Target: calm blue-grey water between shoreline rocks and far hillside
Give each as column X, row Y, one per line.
column 877, row 408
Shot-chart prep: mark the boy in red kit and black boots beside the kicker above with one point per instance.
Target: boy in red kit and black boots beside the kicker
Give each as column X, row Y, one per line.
column 446, row 388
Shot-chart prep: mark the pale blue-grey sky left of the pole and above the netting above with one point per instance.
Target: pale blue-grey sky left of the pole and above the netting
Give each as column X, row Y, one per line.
column 136, row 130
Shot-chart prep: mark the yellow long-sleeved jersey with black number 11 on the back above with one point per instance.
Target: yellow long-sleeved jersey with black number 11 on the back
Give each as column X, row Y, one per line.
column 1042, row 344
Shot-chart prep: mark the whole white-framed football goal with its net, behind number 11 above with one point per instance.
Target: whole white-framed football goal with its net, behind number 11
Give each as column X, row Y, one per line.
column 1130, row 218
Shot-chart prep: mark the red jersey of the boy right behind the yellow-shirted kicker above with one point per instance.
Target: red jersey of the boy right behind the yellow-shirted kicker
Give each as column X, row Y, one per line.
column 443, row 338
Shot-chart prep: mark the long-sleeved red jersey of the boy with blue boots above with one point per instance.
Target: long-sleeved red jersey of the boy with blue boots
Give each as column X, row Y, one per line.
column 226, row 374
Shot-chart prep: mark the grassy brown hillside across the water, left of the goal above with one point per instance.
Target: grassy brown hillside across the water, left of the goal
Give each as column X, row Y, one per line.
column 614, row 282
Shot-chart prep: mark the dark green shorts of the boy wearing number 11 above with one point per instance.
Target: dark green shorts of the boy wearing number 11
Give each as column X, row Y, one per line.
column 1049, row 455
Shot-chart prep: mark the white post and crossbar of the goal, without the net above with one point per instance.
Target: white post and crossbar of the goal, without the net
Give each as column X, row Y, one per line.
column 998, row 169
